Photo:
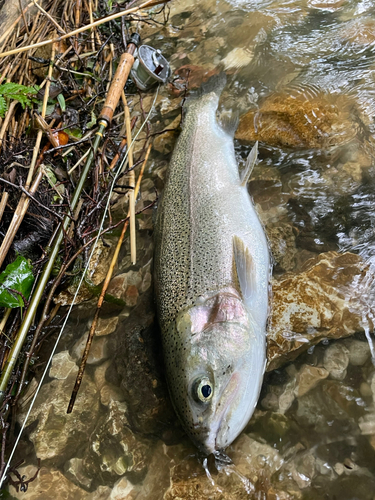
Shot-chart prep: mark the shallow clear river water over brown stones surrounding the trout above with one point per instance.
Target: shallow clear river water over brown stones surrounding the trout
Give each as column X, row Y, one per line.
column 302, row 76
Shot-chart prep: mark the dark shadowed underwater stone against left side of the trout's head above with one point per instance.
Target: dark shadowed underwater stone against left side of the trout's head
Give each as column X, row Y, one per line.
column 138, row 369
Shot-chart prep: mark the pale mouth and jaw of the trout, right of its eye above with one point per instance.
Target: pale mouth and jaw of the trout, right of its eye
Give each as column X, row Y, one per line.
column 215, row 442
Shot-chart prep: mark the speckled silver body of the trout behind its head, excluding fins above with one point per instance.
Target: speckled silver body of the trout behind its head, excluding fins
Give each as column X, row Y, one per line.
column 203, row 207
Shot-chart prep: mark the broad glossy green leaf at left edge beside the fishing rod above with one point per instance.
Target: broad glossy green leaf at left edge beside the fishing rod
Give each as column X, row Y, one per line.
column 17, row 276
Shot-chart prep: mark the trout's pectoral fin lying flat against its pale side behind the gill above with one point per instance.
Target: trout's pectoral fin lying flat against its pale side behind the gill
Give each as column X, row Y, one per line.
column 245, row 268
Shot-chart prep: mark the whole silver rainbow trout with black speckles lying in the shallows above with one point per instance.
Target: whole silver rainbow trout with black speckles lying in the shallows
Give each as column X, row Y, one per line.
column 211, row 273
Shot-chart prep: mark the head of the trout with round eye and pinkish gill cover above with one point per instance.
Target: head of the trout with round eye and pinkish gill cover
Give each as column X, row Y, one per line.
column 217, row 372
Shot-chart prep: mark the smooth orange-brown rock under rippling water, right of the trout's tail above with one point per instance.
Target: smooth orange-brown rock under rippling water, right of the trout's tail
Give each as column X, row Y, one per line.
column 303, row 118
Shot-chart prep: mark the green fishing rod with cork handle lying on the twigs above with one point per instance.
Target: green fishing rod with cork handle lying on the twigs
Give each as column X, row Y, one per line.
column 117, row 86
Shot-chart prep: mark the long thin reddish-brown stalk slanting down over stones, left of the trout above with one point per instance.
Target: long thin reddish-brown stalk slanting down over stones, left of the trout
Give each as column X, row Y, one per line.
column 103, row 292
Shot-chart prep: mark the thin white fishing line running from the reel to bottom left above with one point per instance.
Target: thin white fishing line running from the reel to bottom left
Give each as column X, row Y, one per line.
column 118, row 171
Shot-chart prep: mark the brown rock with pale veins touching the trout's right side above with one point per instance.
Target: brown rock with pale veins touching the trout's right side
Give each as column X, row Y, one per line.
column 324, row 301
